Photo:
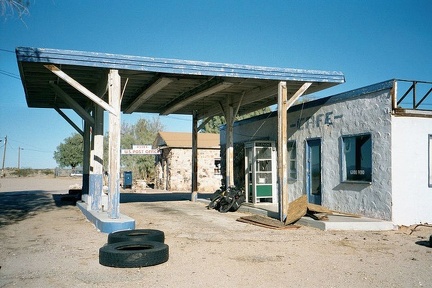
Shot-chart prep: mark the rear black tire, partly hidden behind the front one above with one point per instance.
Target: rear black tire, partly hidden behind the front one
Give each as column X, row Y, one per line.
column 138, row 235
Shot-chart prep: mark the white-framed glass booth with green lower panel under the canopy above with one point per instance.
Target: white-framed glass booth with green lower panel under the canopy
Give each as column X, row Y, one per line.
column 260, row 172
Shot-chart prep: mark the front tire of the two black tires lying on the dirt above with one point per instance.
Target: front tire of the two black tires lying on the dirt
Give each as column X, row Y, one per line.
column 133, row 254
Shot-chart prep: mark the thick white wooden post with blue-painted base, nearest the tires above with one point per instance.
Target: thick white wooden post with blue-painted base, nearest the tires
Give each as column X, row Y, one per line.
column 114, row 93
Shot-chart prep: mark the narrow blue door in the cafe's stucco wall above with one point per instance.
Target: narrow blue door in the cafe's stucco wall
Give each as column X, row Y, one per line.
column 313, row 171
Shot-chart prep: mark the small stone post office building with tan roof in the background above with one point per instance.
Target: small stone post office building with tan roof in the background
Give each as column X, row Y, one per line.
column 174, row 164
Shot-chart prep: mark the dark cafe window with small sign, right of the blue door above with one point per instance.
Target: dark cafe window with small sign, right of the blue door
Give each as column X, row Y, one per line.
column 357, row 158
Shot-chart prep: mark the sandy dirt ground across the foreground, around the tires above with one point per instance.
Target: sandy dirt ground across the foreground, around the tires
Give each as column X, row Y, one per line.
column 46, row 242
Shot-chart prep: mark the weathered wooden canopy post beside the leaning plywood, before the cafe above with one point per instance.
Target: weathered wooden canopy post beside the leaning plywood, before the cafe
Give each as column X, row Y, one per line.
column 282, row 151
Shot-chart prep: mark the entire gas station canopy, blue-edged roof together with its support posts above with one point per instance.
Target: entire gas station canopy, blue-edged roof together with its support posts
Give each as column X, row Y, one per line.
column 90, row 82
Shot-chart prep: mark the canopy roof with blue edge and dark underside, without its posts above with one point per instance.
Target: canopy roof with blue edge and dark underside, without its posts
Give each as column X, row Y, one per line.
column 164, row 86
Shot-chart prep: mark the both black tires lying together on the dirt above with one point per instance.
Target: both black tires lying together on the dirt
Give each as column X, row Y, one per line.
column 134, row 248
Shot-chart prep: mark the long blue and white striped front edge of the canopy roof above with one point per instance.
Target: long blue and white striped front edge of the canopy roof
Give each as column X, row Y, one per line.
column 173, row 66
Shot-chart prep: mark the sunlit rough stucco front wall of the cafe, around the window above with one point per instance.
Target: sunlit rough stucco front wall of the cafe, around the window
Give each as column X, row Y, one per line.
column 367, row 114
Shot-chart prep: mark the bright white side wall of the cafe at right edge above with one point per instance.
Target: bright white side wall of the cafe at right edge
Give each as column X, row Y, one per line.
column 412, row 197
